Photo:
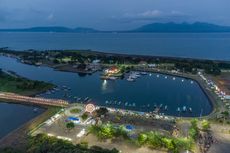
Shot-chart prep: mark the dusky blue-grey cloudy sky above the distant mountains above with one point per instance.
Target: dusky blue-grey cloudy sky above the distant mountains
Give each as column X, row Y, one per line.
column 110, row 14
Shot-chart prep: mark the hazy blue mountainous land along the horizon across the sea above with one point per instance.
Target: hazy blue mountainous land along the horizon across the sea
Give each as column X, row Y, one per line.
column 170, row 27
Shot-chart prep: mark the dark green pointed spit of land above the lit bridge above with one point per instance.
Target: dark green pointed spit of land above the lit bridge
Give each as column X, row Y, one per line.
column 16, row 84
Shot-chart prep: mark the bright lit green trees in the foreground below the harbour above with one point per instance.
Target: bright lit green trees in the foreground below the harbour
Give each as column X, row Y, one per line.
column 152, row 140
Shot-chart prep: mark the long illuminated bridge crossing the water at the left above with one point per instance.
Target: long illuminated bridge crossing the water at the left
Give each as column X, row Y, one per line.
column 32, row 100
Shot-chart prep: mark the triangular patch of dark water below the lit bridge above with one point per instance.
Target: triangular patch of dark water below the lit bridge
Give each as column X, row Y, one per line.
column 13, row 116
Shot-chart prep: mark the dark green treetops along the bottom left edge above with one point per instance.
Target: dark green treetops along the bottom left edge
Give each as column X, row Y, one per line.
column 44, row 144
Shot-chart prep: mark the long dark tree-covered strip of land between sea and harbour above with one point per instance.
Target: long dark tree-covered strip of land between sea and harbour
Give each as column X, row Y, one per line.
column 84, row 57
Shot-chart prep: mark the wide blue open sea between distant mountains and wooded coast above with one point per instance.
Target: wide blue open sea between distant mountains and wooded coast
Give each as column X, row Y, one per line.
column 195, row 45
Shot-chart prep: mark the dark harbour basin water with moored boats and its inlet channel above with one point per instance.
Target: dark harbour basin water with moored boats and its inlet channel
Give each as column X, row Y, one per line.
column 145, row 92
